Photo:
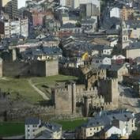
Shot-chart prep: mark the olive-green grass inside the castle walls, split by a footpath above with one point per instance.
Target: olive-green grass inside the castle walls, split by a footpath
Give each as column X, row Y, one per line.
column 22, row 86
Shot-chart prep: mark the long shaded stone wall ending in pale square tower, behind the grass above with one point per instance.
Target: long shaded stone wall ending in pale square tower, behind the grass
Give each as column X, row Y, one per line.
column 32, row 68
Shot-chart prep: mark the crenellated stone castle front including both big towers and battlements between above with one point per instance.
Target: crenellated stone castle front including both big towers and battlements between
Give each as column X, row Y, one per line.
column 65, row 98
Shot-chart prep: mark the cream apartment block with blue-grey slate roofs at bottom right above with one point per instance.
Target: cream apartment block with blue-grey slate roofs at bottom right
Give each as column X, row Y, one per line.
column 123, row 121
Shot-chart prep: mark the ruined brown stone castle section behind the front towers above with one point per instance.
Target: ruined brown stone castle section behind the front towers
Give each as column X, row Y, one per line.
column 86, row 74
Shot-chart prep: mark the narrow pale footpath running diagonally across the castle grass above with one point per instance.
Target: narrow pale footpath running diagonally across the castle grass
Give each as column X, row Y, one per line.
column 37, row 90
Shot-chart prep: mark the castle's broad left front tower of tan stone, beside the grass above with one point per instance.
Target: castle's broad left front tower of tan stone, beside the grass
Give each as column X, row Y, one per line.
column 64, row 99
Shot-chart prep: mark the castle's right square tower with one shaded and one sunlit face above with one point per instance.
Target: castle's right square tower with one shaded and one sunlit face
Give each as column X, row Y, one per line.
column 108, row 88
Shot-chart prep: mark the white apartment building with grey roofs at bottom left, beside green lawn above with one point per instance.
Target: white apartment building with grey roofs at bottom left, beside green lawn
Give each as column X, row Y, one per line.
column 35, row 129
